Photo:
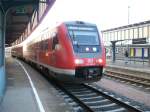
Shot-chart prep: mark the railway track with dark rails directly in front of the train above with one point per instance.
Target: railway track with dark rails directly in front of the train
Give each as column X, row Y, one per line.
column 88, row 98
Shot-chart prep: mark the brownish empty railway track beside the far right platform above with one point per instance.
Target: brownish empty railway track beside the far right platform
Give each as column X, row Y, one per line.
column 131, row 79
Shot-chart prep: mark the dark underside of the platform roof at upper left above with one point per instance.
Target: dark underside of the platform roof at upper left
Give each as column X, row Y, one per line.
column 19, row 14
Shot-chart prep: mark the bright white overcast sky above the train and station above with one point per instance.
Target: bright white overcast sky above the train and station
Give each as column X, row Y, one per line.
column 105, row 13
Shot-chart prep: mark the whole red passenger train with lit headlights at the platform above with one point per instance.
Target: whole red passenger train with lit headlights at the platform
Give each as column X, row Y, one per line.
column 71, row 52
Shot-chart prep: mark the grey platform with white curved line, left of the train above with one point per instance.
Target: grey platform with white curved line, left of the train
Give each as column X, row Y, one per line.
column 28, row 91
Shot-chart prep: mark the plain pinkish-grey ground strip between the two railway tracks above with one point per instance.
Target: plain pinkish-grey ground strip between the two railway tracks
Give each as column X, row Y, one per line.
column 126, row 90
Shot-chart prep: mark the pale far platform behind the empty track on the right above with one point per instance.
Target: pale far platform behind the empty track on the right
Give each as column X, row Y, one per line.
column 130, row 65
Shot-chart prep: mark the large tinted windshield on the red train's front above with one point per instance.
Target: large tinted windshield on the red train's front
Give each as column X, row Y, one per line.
column 84, row 35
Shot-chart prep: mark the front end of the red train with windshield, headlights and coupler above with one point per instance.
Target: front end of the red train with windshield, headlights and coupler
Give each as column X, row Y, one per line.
column 88, row 50
